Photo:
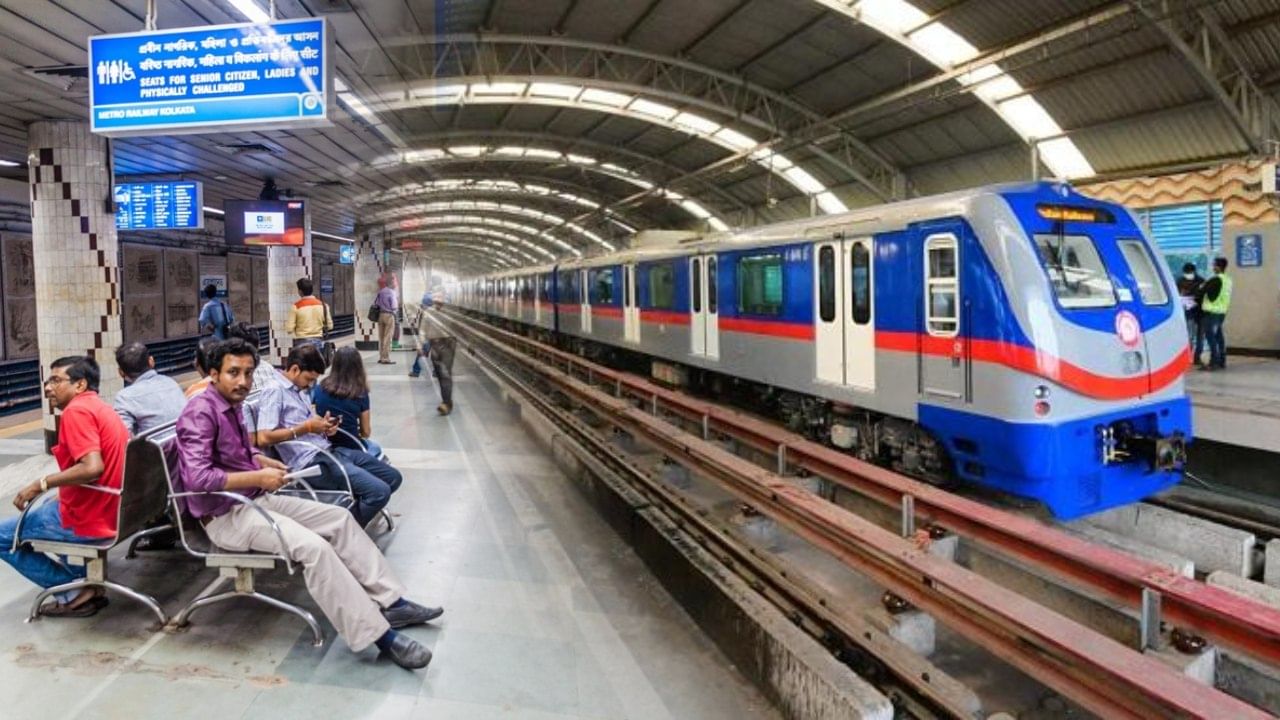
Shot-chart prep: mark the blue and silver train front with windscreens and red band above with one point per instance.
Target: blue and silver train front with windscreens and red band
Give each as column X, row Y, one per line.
column 1099, row 332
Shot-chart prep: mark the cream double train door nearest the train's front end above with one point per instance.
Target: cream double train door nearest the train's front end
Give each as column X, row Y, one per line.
column 845, row 334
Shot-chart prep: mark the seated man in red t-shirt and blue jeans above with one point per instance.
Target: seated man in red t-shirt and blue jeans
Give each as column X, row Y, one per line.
column 90, row 452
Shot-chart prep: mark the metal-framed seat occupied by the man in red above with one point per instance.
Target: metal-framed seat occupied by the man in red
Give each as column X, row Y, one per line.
column 143, row 494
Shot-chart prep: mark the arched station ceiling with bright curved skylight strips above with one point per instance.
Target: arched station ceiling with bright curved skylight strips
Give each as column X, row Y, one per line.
column 500, row 133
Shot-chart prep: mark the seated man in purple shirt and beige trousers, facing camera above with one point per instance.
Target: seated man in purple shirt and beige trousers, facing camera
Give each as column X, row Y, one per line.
column 345, row 572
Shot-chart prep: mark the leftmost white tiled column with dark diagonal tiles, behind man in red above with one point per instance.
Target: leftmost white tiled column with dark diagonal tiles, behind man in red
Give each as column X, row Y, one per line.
column 75, row 252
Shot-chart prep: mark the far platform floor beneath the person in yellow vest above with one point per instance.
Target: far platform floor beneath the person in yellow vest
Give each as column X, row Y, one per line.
column 1240, row 405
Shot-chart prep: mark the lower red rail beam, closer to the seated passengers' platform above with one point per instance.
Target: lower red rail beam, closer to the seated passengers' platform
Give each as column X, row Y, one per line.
column 1094, row 671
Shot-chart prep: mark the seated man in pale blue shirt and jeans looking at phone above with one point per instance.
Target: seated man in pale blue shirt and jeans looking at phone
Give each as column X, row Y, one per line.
column 285, row 414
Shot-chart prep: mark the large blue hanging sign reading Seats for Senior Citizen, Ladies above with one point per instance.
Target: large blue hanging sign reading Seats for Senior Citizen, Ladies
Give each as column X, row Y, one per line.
column 204, row 79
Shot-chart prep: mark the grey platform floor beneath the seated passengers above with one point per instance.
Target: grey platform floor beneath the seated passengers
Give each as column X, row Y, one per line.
column 548, row 614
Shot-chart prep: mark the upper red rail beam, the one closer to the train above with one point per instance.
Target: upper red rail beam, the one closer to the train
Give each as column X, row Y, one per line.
column 1226, row 618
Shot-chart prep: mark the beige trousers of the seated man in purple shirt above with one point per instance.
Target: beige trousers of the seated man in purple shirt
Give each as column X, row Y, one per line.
column 345, row 572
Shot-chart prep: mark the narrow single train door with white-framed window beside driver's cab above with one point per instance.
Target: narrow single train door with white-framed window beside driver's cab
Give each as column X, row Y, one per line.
column 943, row 362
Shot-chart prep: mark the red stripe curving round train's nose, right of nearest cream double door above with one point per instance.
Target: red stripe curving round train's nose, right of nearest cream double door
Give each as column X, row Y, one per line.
column 1040, row 363
